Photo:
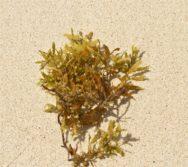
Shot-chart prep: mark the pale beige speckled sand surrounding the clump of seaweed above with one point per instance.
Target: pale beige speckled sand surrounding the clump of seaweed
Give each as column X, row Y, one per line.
column 31, row 138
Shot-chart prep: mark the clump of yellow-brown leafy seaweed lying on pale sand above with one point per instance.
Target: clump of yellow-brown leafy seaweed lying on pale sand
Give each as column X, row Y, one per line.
column 90, row 82
